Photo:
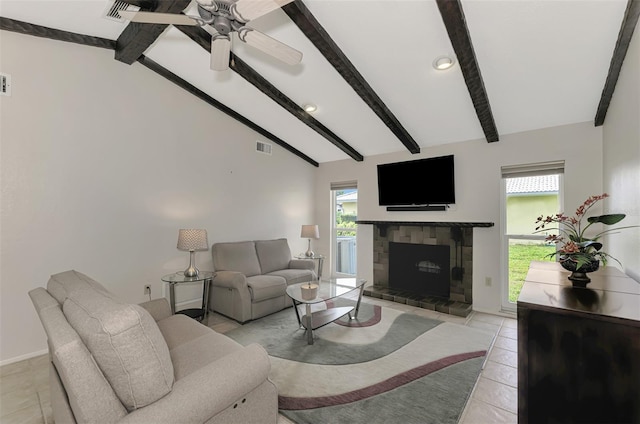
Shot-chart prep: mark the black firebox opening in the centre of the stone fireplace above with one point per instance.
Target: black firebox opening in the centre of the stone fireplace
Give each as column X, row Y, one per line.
column 420, row 269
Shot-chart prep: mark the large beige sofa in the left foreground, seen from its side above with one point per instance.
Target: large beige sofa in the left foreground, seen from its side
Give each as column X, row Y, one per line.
column 114, row 362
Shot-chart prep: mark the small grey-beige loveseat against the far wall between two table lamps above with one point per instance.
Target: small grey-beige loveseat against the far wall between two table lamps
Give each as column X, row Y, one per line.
column 252, row 277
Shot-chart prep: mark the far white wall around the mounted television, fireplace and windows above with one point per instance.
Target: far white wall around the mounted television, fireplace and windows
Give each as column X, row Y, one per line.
column 478, row 189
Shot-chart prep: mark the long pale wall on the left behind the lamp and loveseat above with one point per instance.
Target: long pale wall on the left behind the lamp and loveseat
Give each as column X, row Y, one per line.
column 103, row 162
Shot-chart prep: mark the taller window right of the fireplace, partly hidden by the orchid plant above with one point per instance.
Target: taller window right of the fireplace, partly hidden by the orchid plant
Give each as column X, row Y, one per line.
column 528, row 192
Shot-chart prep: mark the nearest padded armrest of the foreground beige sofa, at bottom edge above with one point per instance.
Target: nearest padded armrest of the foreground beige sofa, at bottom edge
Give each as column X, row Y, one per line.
column 203, row 394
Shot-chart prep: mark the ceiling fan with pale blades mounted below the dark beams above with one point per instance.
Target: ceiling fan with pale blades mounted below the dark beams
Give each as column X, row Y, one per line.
column 222, row 17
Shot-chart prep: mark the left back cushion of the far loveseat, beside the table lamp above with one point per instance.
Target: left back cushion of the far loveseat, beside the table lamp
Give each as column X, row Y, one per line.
column 236, row 256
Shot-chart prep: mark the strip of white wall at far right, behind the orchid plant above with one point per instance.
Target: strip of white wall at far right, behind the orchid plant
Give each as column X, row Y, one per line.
column 622, row 161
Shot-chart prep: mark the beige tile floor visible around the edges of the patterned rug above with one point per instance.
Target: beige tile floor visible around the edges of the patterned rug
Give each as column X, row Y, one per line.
column 24, row 390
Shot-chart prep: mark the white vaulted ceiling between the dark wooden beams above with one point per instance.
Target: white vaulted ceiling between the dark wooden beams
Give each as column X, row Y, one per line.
column 544, row 63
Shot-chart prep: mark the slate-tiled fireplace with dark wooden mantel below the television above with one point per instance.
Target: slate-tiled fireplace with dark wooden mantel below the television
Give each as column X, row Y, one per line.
column 452, row 240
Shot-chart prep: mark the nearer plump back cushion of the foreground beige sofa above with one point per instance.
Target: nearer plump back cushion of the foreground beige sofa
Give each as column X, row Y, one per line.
column 126, row 344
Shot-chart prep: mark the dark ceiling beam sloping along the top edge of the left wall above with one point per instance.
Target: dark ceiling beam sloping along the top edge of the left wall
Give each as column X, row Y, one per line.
column 160, row 70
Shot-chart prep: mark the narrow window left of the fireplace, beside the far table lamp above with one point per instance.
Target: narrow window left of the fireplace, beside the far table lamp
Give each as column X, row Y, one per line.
column 344, row 228
